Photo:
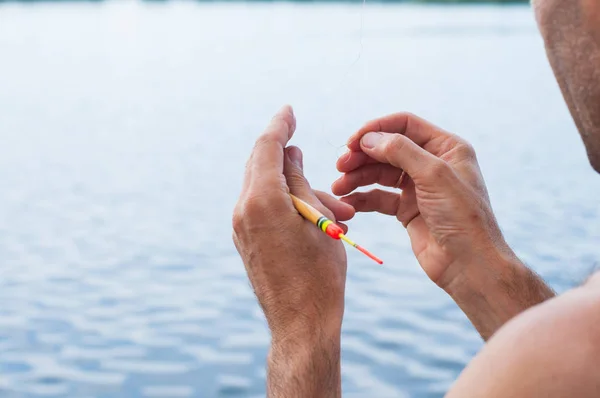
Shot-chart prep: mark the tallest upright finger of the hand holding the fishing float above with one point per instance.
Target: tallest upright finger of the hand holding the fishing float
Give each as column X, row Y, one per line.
column 266, row 161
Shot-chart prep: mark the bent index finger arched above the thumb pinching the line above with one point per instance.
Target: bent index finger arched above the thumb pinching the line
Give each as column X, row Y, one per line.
column 418, row 130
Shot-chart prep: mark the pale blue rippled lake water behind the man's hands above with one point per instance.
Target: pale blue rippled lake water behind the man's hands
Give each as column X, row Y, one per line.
column 124, row 131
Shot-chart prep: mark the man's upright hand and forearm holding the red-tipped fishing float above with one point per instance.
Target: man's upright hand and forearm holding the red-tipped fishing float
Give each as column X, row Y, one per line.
column 298, row 273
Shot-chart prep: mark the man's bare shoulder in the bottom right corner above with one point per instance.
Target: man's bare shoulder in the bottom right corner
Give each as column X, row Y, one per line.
column 551, row 350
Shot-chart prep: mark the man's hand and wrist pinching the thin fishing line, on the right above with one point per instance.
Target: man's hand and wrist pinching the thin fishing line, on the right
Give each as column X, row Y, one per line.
column 445, row 207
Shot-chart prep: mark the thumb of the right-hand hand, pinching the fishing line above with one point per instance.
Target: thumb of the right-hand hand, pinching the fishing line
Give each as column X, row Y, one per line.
column 400, row 151
